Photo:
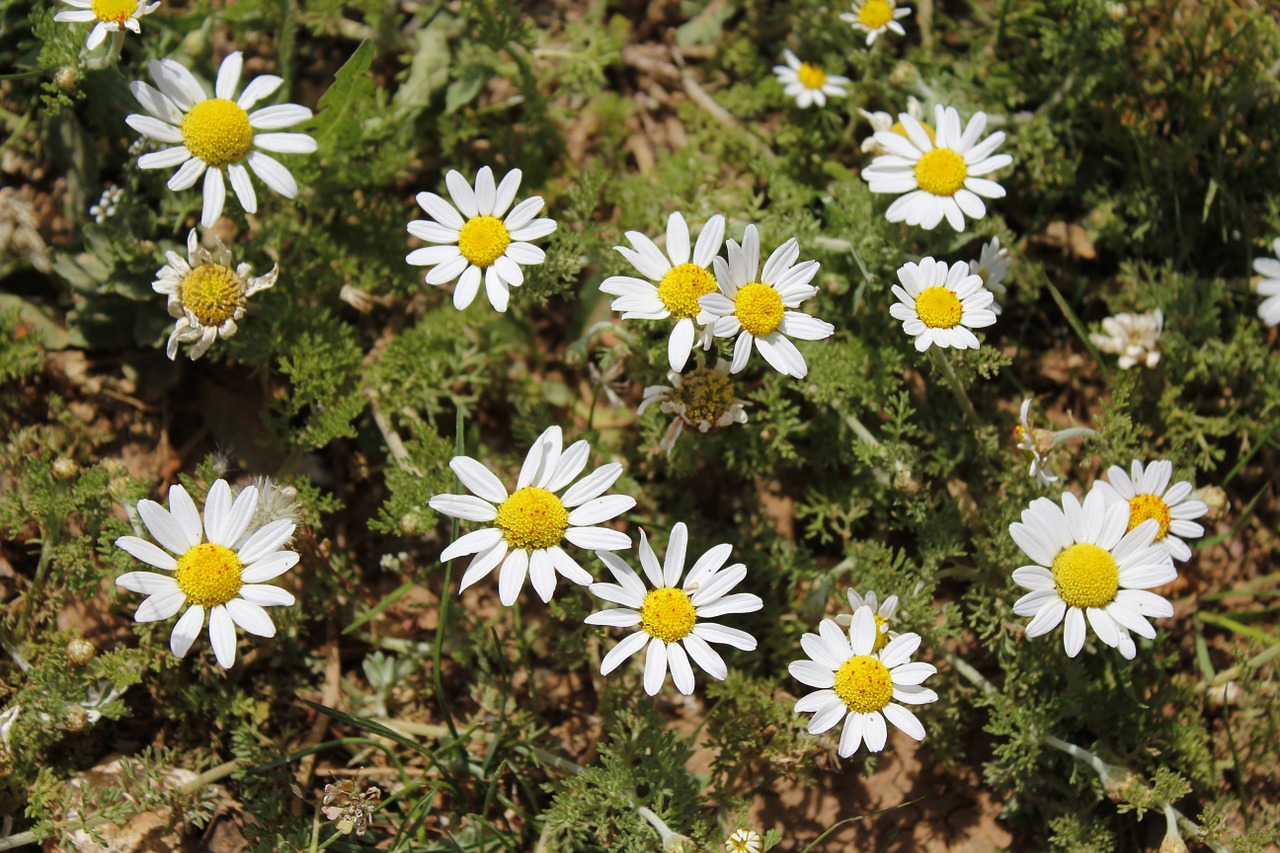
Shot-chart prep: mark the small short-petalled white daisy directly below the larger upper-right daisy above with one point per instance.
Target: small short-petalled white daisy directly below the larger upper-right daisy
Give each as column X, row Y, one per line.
column 940, row 305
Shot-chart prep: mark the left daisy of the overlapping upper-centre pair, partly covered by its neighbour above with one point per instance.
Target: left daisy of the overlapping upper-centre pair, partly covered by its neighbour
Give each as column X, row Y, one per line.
column 676, row 281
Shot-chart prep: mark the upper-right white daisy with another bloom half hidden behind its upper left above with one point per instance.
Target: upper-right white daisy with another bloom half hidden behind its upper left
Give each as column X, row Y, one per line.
column 939, row 176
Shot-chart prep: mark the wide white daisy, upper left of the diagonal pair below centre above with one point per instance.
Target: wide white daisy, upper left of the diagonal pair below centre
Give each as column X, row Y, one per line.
column 531, row 523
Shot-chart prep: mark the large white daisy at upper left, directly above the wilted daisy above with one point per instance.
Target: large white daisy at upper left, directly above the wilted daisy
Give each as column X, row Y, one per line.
column 212, row 135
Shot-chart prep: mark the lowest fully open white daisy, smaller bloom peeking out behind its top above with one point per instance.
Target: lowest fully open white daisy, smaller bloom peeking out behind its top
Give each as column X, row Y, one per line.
column 858, row 685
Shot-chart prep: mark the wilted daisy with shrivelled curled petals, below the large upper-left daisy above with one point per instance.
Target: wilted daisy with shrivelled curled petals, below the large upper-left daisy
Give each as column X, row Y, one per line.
column 207, row 295
